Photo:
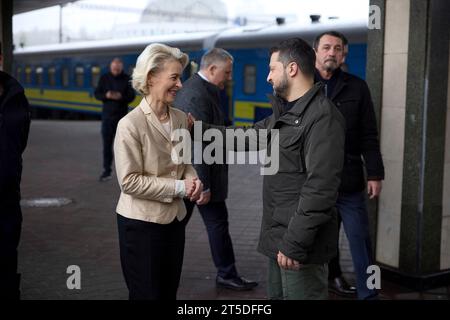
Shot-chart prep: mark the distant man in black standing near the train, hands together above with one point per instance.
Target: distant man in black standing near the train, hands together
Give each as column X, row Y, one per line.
column 115, row 90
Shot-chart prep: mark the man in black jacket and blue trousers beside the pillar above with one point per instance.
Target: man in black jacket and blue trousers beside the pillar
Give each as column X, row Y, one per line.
column 352, row 97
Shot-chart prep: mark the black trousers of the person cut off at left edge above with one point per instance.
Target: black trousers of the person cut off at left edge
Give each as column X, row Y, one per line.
column 10, row 229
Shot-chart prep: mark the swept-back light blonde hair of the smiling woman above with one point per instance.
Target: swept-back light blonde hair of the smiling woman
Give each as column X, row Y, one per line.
column 151, row 61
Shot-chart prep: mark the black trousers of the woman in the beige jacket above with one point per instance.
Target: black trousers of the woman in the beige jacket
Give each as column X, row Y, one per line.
column 151, row 255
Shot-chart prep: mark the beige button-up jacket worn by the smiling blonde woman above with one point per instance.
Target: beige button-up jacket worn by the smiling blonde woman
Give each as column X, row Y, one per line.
column 145, row 170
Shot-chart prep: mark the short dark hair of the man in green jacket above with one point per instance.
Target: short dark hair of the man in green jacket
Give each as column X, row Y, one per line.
column 299, row 51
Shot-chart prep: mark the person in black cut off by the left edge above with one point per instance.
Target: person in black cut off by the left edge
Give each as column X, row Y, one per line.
column 14, row 129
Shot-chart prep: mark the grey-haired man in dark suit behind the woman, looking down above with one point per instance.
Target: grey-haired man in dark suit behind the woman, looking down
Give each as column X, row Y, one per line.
column 200, row 96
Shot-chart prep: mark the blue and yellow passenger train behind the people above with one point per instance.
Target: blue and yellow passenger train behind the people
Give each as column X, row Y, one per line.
column 64, row 76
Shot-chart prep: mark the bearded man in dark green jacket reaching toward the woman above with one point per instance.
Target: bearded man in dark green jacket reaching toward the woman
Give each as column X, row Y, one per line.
column 299, row 224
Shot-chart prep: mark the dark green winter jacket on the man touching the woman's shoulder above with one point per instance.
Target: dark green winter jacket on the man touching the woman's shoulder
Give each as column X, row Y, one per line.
column 299, row 214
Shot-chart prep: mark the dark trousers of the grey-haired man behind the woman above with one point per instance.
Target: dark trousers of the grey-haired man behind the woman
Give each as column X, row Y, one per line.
column 215, row 217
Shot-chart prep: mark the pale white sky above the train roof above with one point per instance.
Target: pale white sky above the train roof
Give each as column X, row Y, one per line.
column 93, row 20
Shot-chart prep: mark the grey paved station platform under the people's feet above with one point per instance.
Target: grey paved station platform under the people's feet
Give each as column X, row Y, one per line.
column 63, row 160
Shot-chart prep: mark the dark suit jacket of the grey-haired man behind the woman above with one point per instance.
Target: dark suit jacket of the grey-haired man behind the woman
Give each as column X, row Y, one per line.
column 202, row 100
